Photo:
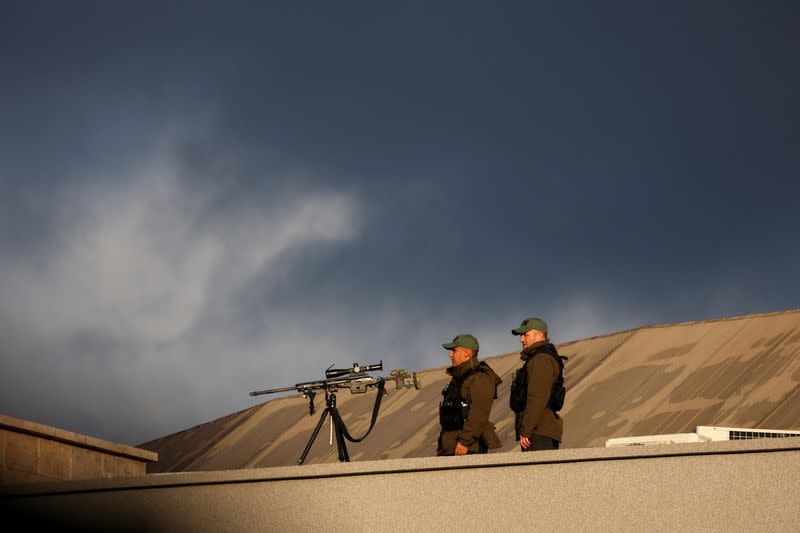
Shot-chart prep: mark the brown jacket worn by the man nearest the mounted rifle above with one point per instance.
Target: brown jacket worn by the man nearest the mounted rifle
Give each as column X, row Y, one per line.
column 479, row 389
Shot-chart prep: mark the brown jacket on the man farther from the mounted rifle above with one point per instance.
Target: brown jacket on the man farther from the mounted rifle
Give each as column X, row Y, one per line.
column 537, row 419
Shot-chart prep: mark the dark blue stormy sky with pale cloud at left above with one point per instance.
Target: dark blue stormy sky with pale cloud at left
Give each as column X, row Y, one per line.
column 200, row 199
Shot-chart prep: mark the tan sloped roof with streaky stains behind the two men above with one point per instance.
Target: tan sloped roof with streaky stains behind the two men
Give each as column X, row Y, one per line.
column 737, row 372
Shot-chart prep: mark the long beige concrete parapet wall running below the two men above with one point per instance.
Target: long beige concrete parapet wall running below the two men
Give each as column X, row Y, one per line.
column 715, row 486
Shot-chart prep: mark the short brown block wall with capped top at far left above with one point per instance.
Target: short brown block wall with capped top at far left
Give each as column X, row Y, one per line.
column 31, row 453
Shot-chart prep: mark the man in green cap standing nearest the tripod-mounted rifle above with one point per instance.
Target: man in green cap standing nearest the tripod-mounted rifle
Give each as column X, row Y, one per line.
column 467, row 401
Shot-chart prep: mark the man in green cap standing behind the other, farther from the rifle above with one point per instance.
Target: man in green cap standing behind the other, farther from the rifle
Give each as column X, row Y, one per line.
column 537, row 392
